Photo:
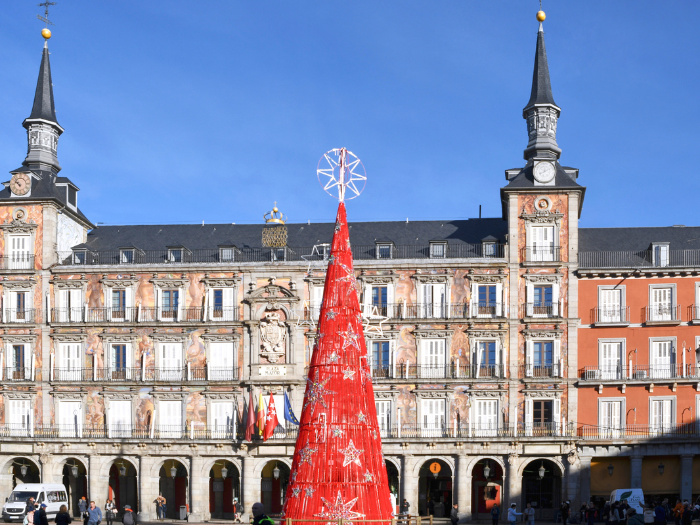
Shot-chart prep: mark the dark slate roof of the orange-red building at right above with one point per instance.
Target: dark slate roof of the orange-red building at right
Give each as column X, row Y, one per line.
column 638, row 239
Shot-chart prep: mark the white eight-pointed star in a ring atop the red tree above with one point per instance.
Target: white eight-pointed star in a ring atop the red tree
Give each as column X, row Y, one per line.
column 339, row 170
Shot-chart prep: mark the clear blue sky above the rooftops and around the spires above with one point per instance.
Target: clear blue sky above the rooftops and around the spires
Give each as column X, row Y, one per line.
column 184, row 111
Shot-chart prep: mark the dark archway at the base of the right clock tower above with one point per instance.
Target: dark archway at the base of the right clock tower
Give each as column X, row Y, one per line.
column 542, row 488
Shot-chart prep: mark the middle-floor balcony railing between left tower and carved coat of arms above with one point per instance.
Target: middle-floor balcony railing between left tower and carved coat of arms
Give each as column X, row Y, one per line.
column 135, row 374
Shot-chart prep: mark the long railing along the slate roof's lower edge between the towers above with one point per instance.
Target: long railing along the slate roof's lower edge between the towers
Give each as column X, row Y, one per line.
column 301, row 254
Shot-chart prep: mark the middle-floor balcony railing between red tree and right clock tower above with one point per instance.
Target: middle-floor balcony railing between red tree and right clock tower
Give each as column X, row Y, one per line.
column 454, row 371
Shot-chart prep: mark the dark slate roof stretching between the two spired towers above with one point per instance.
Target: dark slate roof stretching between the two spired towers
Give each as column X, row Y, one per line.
column 210, row 236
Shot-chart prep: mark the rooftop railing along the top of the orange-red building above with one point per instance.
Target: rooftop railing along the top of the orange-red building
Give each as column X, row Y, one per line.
column 638, row 259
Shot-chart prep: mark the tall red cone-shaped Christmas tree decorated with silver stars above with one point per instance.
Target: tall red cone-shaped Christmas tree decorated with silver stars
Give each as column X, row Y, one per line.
column 338, row 469
